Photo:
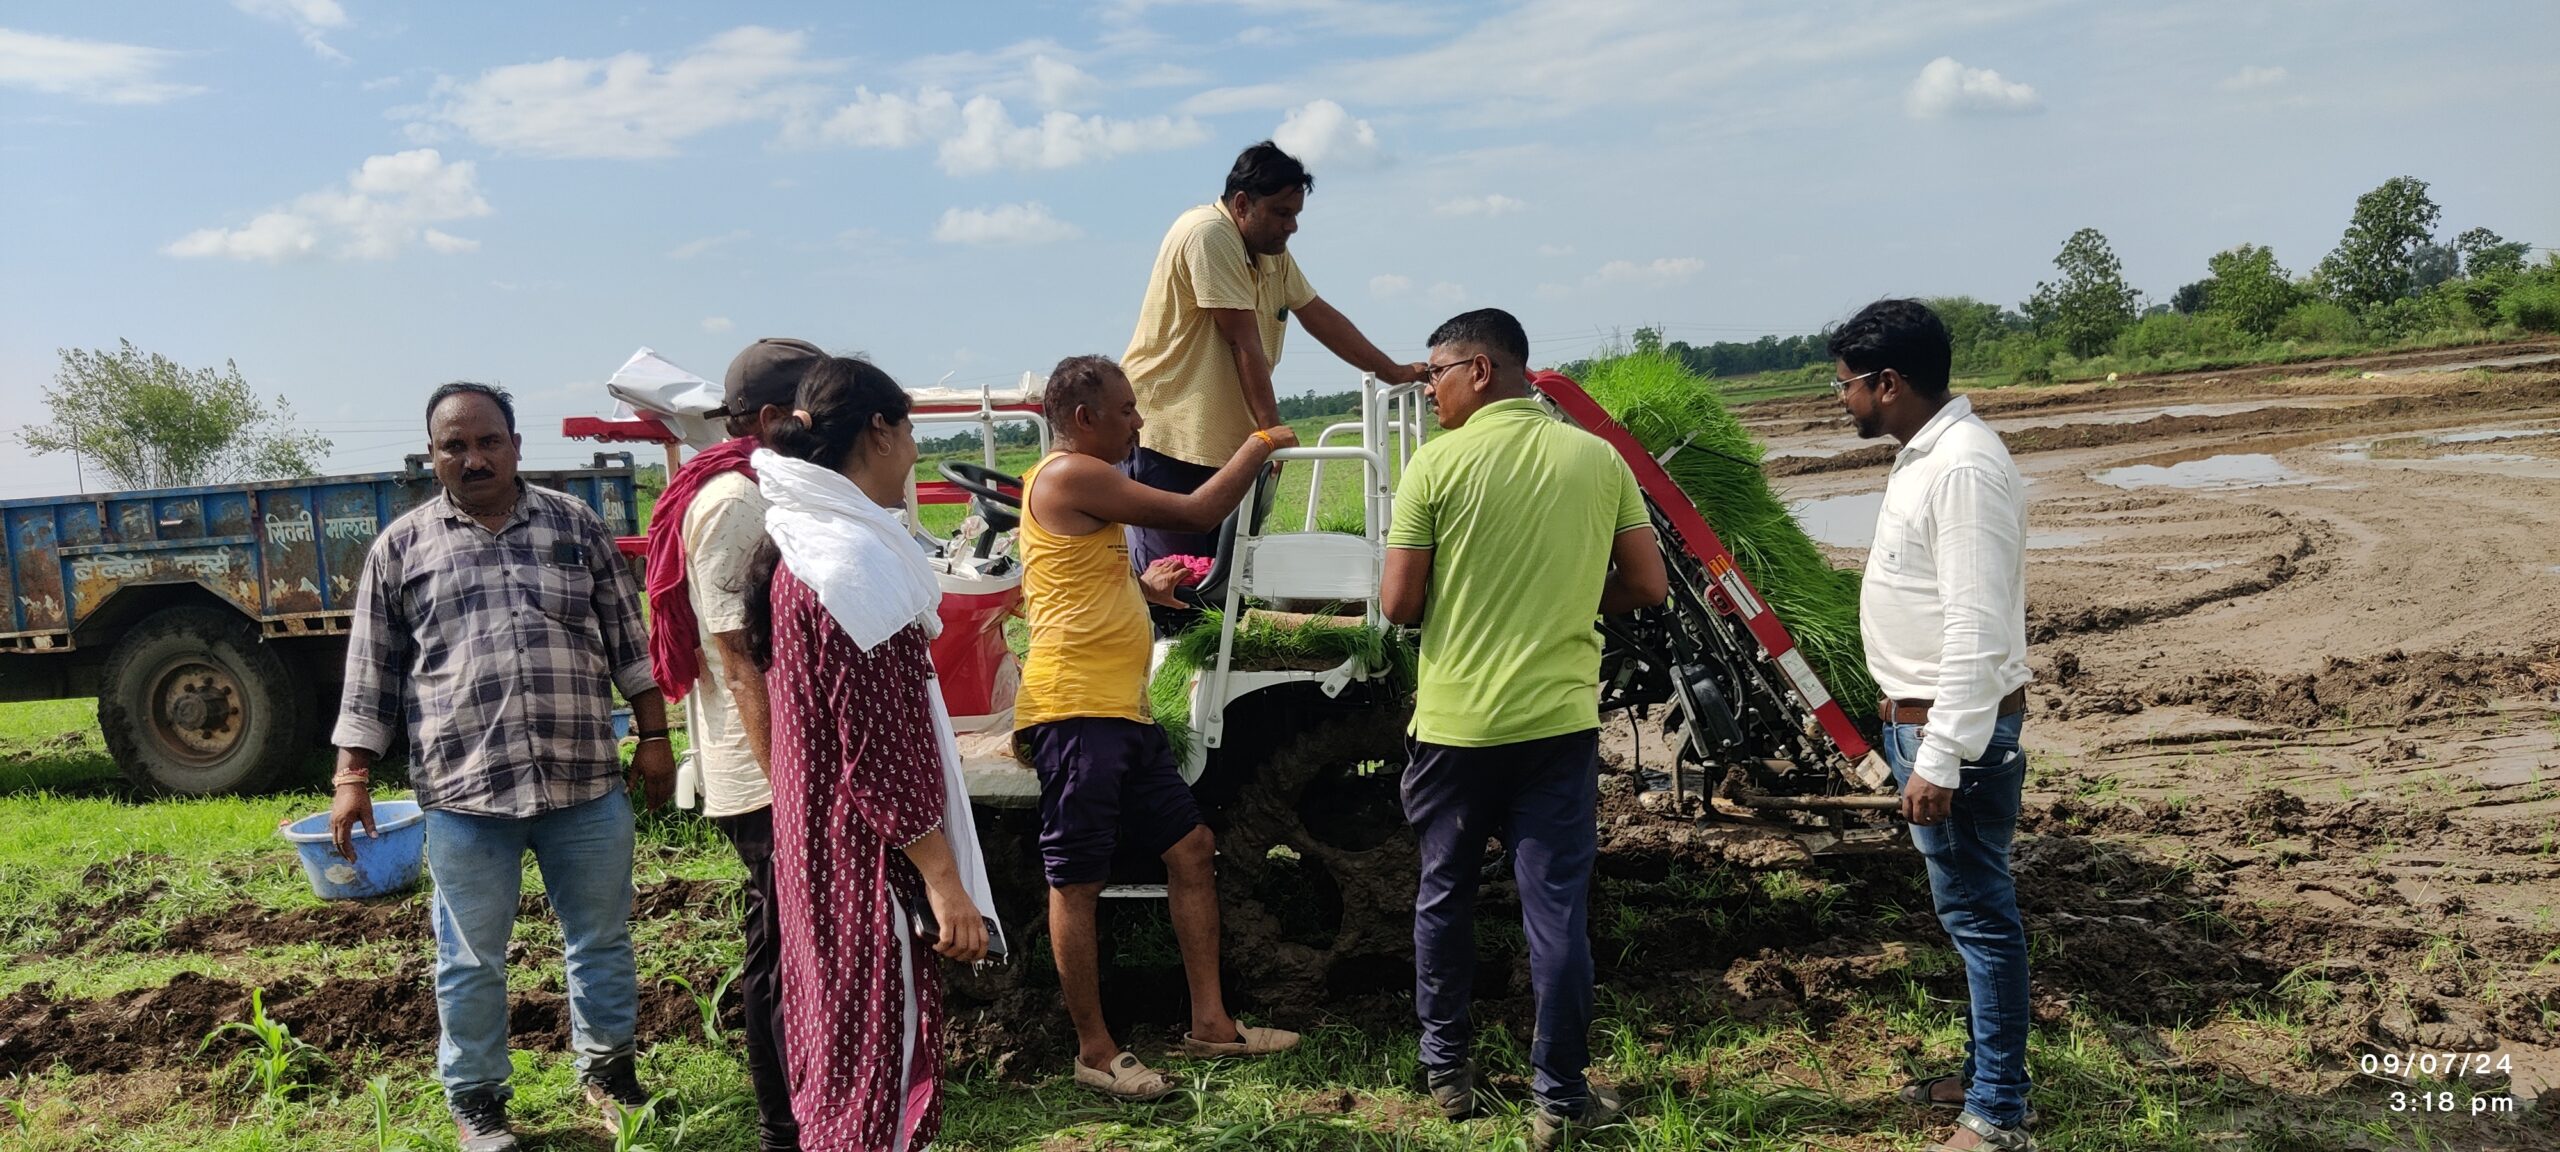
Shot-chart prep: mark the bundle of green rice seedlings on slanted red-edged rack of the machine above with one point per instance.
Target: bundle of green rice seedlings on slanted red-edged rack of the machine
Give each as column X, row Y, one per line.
column 1663, row 403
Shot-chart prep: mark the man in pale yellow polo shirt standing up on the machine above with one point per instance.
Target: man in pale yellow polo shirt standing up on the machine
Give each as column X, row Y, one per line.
column 1210, row 337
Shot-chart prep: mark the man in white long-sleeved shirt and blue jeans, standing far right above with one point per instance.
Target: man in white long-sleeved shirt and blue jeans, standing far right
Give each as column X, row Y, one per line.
column 1944, row 616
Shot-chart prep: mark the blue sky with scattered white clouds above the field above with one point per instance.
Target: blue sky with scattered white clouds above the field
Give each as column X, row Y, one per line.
column 365, row 198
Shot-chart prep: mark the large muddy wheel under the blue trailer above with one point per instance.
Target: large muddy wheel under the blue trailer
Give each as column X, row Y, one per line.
column 196, row 705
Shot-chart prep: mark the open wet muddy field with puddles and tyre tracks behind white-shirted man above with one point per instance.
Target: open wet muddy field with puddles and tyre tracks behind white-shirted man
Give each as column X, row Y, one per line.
column 2295, row 636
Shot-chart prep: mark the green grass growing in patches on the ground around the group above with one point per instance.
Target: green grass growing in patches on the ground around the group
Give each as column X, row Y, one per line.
column 1701, row 1079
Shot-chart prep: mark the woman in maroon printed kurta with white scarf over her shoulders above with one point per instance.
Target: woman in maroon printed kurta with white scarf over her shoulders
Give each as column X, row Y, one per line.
column 859, row 782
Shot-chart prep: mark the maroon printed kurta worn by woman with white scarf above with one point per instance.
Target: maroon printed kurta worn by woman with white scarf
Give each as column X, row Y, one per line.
column 856, row 777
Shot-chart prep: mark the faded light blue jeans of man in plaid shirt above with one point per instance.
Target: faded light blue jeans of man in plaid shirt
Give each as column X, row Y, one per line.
column 480, row 874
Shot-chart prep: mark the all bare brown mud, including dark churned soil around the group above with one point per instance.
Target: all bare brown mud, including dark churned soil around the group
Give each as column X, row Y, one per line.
column 2295, row 759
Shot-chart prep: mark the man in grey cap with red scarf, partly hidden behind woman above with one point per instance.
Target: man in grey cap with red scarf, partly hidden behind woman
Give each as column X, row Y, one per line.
column 700, row 544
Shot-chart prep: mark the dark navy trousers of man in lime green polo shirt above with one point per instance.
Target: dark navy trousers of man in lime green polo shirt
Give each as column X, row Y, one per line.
column 1537, row 797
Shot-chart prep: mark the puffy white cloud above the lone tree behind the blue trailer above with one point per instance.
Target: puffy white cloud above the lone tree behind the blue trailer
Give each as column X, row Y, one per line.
column 383, row 209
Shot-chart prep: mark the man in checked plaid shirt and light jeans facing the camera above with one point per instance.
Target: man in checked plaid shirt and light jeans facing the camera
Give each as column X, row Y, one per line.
column 495, row 623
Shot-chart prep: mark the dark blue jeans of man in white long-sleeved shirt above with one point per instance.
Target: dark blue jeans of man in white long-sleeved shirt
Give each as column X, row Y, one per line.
column 1978, row 905
